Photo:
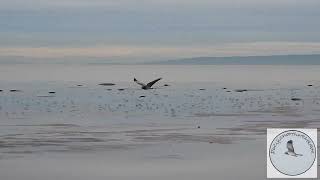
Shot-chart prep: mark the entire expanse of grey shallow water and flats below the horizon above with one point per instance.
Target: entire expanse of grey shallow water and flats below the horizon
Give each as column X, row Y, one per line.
column 82, row 130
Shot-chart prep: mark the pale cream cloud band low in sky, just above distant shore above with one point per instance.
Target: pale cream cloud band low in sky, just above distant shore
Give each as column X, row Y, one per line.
column 164, row 52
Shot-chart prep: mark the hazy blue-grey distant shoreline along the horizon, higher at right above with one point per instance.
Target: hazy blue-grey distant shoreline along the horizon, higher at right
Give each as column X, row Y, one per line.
column 311, row 59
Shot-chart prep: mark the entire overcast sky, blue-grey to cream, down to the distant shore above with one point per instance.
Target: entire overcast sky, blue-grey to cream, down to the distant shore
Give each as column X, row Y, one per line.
column 158, row 29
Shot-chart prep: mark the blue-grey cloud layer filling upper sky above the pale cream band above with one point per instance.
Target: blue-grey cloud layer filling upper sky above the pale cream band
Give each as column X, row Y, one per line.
column 155, row 22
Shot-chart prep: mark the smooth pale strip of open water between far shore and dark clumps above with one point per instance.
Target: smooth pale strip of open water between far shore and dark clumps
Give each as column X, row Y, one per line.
column 232, row 74
